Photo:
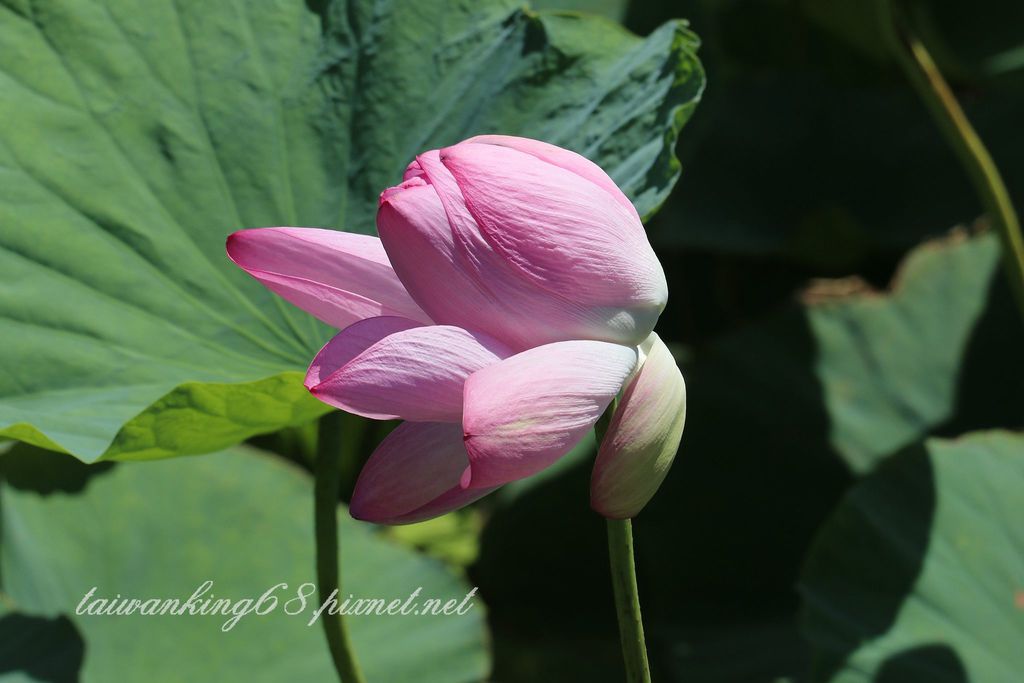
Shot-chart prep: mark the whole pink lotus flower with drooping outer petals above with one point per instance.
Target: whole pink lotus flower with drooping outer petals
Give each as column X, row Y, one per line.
column 510, row 297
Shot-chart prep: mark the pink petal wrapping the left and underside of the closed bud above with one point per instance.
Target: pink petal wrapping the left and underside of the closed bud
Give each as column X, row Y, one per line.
column 462, row 282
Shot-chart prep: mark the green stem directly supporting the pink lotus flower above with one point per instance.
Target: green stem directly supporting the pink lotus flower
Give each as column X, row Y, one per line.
column 624, row 583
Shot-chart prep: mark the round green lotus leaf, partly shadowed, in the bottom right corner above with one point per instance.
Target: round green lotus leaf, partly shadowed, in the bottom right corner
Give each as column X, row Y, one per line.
column 919, row 575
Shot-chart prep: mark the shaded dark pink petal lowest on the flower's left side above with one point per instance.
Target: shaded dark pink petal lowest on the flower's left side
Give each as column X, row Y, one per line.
column 414, row 476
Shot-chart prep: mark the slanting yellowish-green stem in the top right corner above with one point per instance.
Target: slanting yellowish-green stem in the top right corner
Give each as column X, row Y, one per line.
column 924, row 74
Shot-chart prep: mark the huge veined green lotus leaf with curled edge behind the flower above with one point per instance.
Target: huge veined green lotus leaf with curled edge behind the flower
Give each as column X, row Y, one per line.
column 137, row 136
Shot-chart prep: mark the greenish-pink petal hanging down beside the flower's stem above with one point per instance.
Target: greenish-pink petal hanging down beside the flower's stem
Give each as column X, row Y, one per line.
column 643, row 439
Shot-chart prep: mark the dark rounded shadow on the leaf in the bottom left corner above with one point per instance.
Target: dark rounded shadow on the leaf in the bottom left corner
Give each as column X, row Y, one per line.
column 42, row 650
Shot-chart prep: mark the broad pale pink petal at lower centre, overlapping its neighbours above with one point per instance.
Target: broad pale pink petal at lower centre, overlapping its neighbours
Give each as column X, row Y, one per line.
column 530, row 410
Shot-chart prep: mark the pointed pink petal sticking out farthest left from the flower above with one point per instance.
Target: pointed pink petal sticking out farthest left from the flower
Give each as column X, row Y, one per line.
column 338, row 277
